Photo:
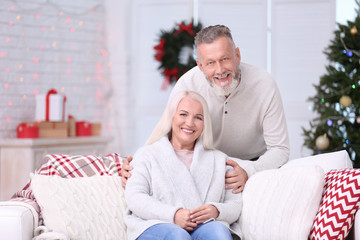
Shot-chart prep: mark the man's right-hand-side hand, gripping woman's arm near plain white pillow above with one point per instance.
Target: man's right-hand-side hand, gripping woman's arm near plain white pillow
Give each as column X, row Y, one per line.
column 235, row 179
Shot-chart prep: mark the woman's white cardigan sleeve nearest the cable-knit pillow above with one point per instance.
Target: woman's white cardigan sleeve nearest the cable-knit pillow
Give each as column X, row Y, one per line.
column 138, row 193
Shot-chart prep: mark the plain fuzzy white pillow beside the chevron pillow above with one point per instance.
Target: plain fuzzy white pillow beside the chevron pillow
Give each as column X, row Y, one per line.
column 281, row 204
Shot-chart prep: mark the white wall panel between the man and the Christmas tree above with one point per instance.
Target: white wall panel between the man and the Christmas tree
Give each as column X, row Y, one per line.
column 300, row 31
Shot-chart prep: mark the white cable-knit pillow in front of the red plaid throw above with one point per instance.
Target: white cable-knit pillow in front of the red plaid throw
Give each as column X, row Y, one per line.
column 82, row 208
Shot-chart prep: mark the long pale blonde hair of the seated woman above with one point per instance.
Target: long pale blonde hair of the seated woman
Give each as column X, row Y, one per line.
column 163, row 128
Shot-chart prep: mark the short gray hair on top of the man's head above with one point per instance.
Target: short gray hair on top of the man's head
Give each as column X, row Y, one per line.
column 211, row 33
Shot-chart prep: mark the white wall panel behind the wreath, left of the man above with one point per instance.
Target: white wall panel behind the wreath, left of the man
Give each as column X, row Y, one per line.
column 147, row 99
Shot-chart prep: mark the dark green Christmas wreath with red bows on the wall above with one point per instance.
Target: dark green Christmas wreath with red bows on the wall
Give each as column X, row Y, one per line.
column 175, row 51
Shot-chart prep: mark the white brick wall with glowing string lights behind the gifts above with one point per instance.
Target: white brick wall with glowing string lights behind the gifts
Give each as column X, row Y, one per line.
column 48, row 44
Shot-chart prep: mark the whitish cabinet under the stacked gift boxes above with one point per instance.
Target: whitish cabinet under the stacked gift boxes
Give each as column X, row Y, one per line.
column 20, row 157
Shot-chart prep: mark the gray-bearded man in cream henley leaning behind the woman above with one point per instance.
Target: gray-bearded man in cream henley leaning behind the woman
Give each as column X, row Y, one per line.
column 245, row 105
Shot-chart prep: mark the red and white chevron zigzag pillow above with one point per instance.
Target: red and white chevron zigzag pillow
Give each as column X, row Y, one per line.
column 340, row 201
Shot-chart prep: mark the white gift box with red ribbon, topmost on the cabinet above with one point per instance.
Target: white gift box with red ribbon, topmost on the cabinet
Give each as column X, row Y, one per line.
column 50, row 107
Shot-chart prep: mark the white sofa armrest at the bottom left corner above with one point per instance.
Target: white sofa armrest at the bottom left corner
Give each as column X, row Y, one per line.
column 16, row 222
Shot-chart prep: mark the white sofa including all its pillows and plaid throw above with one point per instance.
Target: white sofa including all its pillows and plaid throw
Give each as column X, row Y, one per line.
column 80, row 197
